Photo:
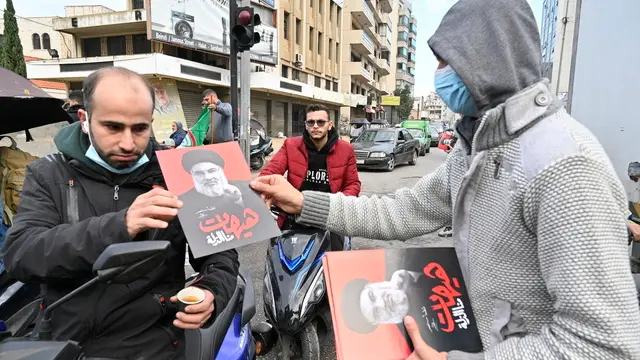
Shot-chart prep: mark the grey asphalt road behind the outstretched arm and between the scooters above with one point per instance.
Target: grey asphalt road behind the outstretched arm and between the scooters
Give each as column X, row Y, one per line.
column 373, row 183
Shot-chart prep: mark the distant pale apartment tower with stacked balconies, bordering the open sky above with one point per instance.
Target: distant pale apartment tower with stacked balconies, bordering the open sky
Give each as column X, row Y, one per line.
column 406, row 46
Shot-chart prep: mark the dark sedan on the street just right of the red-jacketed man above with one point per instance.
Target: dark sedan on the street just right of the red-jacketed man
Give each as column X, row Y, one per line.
column 385, row 148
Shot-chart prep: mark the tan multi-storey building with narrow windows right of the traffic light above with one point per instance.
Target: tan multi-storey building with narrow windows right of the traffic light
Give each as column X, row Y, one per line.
column 310, row 40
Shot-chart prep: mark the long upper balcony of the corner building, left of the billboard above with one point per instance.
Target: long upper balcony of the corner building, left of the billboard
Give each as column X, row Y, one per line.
column 124, row 22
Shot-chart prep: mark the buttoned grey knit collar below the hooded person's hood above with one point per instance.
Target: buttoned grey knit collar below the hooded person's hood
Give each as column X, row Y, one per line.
column 520, row 112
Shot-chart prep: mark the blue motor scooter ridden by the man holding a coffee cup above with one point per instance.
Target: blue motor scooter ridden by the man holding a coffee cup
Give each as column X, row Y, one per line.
column 229, row 337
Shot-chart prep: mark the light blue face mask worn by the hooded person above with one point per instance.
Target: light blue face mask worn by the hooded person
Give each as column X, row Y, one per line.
column 454, row 92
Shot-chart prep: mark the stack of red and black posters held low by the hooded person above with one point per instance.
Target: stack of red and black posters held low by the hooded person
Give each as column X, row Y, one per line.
column 371, row 291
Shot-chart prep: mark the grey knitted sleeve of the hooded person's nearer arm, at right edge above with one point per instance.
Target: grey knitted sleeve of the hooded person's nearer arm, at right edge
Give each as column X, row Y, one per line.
column 582, row 248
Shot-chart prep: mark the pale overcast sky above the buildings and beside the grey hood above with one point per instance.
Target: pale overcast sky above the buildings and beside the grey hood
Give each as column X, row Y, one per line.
column 429, row 13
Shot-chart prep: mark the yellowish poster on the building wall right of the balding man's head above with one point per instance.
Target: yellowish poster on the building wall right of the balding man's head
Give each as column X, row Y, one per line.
column 168, row 108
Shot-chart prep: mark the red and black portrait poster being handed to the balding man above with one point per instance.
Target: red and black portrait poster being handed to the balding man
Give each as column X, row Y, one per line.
column 220, row 211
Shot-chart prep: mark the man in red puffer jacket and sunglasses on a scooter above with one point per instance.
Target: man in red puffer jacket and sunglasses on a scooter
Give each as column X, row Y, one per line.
column 318, row 160
